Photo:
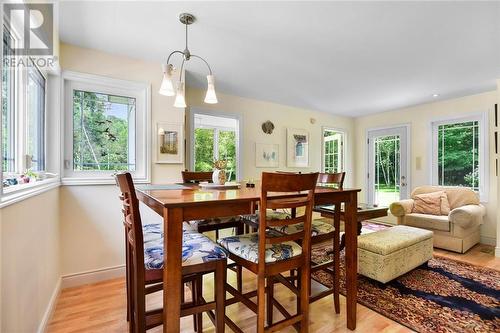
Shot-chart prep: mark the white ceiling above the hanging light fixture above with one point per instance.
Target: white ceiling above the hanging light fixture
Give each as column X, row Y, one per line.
column 347, row 58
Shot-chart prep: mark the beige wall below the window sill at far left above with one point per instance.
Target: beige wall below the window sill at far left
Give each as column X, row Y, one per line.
column 30, row 266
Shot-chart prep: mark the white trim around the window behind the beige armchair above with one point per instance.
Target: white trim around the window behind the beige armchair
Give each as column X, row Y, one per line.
column 482, row 118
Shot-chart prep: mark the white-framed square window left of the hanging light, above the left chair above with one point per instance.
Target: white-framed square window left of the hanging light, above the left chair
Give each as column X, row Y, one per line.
column 107, row 129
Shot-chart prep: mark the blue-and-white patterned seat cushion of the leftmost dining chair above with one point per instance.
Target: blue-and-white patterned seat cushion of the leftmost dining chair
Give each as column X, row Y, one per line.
column 196, row 249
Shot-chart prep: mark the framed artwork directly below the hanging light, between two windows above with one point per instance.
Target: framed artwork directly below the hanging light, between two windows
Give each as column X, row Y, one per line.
column 169, row 142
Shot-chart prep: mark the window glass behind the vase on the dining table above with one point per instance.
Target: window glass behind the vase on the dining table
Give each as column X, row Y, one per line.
column 216, row 138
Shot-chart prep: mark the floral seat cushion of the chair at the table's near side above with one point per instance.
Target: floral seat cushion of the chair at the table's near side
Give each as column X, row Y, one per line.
column 247, row 247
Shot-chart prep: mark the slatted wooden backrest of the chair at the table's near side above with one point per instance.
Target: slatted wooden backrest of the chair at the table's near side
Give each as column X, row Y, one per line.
column 301, row 184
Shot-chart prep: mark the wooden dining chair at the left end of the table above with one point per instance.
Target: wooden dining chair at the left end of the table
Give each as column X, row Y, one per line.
column 145, row 267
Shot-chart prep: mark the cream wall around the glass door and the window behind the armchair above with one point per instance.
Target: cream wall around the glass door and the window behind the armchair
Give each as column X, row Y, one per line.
column 420, row 118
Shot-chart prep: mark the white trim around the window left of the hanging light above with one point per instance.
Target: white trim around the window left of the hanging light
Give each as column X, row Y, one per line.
column 142, row 92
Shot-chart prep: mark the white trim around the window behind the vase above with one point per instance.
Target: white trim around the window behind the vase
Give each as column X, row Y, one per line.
column 239, row 137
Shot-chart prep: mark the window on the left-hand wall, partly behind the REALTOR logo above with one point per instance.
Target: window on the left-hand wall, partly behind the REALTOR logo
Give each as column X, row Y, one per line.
column 23, row 121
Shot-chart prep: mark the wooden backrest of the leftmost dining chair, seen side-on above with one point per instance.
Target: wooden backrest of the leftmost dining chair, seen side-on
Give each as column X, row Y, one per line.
column 133, row 224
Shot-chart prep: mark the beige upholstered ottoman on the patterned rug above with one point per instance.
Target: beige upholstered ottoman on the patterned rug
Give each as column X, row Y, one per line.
column 385, row 255
